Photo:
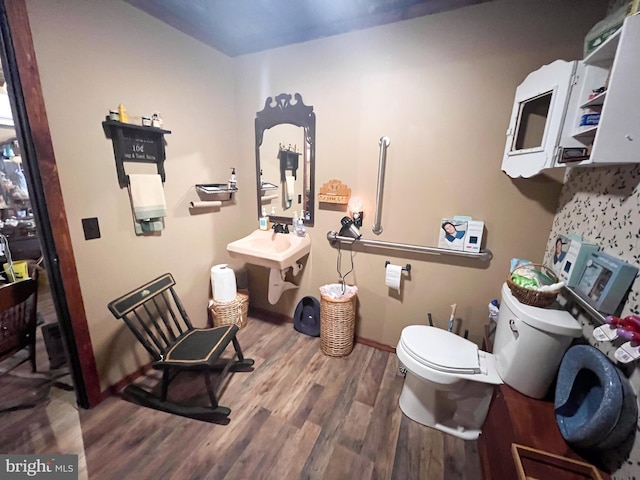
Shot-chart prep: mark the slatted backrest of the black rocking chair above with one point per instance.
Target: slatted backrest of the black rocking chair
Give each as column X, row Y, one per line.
column 154, row 319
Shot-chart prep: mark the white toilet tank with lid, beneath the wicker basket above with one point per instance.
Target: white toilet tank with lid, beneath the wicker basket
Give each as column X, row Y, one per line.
column 530, row 342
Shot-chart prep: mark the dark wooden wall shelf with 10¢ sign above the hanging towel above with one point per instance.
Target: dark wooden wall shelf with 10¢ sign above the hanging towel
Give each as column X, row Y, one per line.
column 135, row 143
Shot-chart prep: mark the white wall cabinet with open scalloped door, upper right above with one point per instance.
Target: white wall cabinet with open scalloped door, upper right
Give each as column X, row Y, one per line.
column 557, row 120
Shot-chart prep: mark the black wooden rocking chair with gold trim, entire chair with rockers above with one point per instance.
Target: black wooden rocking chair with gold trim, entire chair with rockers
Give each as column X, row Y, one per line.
column 155, row 315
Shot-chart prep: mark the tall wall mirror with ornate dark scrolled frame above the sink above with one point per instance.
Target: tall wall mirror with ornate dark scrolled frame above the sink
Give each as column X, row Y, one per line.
column 285, row 159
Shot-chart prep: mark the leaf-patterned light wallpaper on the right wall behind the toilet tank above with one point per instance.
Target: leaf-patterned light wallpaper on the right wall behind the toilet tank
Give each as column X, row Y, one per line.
column 603, row 205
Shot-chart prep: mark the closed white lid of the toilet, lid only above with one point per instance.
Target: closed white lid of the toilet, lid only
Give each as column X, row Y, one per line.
column 441, row 350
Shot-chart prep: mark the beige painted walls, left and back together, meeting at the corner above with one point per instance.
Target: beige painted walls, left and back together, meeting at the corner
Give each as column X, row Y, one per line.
column 440, row 87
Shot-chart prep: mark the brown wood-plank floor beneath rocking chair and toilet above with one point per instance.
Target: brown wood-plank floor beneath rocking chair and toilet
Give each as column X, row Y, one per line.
column 298, row 415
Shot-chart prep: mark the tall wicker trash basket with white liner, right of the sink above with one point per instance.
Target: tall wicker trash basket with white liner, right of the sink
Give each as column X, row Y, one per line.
column 337, row 319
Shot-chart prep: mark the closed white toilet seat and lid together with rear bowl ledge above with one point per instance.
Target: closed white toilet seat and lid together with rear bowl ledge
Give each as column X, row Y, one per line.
column 434, row 352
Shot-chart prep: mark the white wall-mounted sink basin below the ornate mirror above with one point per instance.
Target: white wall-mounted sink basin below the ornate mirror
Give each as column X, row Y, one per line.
column 268, row 249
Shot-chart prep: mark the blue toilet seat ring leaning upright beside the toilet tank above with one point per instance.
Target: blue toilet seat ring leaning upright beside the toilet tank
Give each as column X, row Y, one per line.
column 595, row 405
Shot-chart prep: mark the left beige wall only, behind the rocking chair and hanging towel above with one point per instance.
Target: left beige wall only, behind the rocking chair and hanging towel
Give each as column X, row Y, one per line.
column 93, row 55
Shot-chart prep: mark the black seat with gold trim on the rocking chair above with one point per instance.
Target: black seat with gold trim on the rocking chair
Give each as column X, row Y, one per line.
column 199, row 347
